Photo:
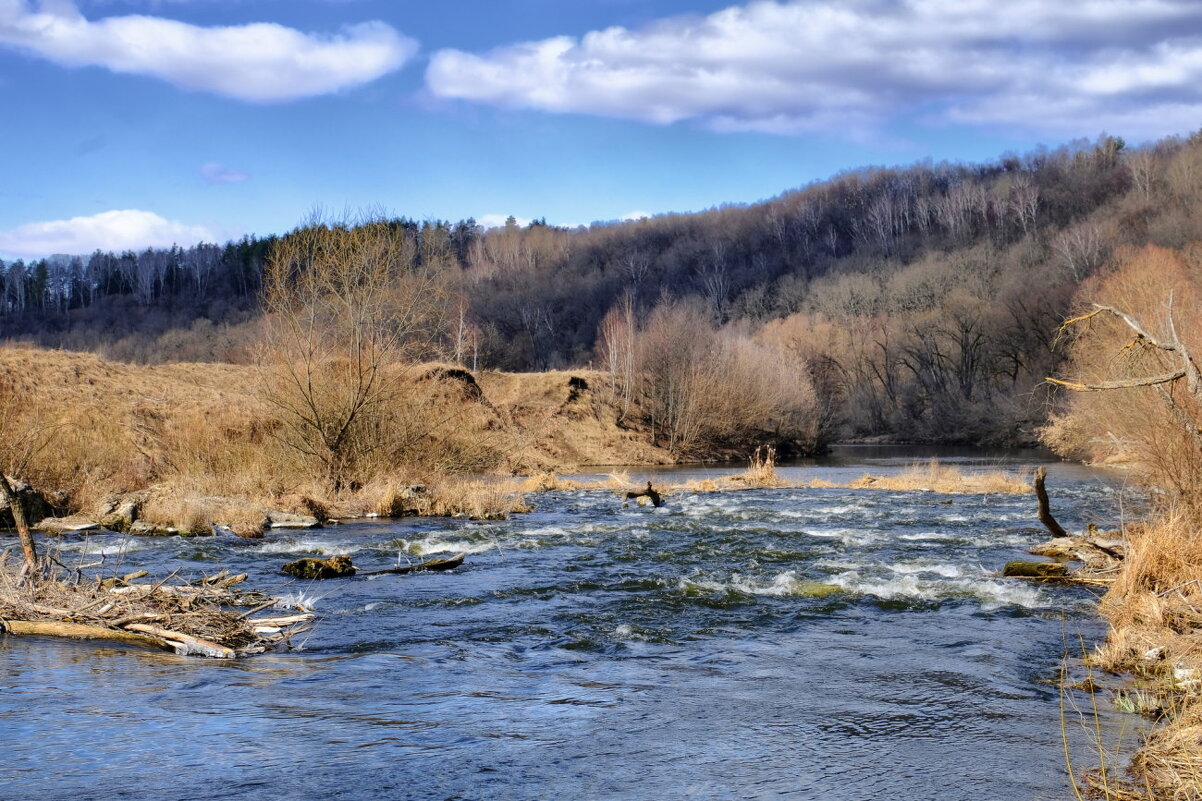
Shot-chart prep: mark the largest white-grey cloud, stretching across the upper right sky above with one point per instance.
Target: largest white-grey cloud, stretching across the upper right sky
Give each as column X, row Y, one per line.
column 855, row 66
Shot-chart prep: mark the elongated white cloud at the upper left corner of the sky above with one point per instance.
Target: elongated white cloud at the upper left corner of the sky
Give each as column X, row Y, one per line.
column 257, row 63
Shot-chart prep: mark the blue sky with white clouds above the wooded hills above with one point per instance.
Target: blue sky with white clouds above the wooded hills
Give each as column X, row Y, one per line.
column 134, row 123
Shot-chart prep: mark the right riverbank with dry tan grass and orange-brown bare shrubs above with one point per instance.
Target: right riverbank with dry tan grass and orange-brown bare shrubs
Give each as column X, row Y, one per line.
column 1136, row 396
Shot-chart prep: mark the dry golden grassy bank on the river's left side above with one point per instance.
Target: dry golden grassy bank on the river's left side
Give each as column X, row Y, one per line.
column 197, row 444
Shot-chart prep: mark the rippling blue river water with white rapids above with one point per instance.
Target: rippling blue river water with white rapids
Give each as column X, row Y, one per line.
column 807, row 644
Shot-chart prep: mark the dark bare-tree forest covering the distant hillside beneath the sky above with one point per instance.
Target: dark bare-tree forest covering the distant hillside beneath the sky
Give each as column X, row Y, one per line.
column 921, row 304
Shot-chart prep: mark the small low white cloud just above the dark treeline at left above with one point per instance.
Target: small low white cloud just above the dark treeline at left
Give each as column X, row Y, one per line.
column 118, row 230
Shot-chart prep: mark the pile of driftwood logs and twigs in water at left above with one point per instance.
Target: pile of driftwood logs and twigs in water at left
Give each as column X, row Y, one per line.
column 200, row 619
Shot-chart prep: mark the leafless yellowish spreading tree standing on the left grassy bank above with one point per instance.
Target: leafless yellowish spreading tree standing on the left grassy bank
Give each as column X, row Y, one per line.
column 348, row 308
